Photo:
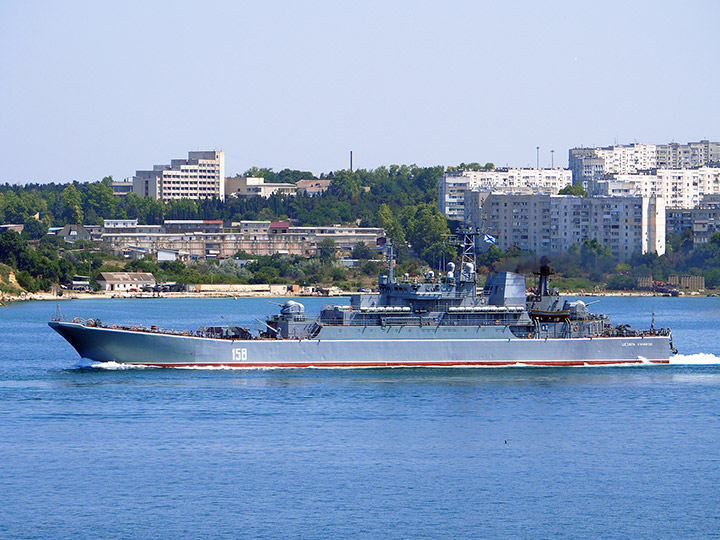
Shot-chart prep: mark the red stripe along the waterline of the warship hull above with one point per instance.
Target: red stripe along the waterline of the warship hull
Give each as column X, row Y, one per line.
column 548, row 363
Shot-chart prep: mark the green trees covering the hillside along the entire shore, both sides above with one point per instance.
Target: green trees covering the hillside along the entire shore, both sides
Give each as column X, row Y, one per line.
column 401, row 198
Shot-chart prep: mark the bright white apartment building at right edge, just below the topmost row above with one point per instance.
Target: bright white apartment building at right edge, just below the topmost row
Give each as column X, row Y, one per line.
column 680, row 188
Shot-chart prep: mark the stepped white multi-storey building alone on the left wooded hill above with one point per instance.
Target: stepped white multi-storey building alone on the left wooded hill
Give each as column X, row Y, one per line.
column 200, row 176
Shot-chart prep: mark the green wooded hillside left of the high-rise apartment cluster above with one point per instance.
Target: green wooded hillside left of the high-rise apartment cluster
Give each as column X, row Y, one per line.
column 401, row 199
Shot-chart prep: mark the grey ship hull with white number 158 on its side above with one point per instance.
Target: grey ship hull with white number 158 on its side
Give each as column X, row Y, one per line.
column 422, row 348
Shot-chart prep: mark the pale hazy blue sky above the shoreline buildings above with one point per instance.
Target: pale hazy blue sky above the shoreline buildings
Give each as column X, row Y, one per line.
column 90, row 89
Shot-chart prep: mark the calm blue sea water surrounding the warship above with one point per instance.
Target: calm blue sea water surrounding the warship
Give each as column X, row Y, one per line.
column 619, row 452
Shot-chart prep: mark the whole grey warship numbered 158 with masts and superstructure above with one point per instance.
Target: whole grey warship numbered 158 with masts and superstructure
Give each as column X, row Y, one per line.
column 429, row 321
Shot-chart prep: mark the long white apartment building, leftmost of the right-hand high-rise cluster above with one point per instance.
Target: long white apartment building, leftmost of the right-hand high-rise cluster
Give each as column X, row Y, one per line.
column 453, row 185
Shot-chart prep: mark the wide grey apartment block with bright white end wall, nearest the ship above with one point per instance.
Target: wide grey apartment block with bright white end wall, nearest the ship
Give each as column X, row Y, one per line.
column 548, row 224
